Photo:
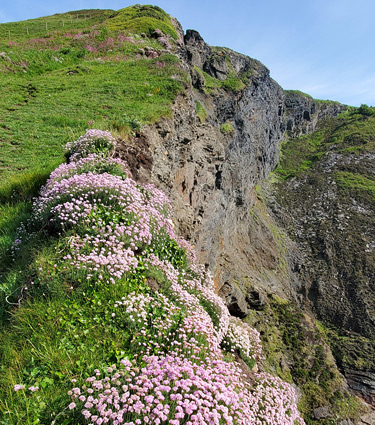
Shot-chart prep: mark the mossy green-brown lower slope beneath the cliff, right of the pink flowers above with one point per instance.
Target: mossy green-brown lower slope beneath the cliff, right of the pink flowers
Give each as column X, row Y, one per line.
column 295, row 349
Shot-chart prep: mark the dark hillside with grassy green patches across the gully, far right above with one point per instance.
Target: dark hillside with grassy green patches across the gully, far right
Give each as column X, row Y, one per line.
column 327, row 205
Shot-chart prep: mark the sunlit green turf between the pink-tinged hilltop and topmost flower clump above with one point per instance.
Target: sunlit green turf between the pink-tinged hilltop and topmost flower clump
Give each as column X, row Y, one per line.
column 113, row 94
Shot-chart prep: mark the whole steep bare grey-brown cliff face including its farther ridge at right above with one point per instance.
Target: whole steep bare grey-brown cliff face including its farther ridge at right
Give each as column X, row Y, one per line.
column 222, row 140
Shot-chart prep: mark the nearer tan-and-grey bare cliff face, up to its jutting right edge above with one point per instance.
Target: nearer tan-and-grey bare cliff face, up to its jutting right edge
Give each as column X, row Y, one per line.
column 211, row 173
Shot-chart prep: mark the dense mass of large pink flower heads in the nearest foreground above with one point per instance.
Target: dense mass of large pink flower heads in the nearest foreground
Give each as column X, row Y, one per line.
column 174, row 390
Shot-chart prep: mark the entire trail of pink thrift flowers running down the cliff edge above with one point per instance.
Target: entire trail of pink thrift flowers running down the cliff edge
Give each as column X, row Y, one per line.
column 177, row 374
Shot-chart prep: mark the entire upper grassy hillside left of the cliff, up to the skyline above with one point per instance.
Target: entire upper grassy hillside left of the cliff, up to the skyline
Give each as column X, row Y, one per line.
column 52, row 86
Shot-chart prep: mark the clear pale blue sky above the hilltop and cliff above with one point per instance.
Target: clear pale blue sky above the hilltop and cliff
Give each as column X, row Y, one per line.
column 322, row 47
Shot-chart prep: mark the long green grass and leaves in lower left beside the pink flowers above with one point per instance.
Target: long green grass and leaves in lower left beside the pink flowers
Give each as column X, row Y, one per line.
column 51, row 333
